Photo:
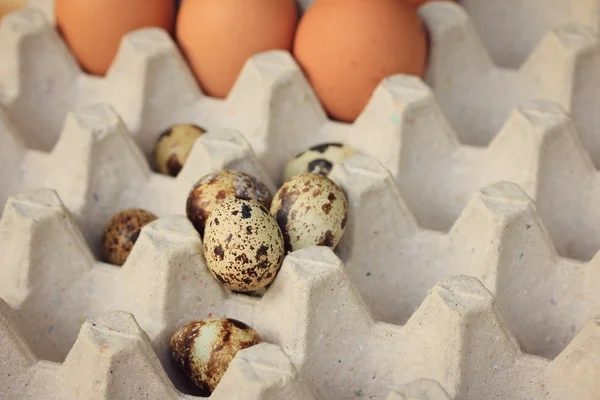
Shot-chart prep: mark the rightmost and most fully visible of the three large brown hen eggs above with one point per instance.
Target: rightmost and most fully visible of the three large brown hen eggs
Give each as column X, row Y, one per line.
column 347, row 47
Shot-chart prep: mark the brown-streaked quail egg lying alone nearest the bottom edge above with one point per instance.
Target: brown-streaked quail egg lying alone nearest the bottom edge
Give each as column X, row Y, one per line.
column 204, row 349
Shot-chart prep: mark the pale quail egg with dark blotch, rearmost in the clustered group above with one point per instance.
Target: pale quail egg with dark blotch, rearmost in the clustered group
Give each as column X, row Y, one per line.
column 318, row 159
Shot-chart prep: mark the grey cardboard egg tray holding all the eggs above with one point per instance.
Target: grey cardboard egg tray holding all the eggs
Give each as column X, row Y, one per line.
column 447, row 284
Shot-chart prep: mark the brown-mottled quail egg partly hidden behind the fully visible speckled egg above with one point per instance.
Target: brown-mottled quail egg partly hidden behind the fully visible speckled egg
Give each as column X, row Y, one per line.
column 215, row 187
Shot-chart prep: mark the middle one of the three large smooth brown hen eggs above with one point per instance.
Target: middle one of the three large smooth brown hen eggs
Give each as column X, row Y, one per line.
column 217, row 37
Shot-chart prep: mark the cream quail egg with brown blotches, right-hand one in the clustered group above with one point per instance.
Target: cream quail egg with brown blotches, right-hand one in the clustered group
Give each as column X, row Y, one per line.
column 311, row 210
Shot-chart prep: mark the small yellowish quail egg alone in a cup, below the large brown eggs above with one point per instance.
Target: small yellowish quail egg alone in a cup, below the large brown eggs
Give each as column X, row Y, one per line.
column 174, row 146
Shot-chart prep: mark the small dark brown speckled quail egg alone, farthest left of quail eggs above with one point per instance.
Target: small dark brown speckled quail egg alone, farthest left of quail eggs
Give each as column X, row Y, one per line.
column 121, row 233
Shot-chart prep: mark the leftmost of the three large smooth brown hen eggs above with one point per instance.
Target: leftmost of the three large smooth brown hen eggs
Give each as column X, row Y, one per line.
column 93, row 28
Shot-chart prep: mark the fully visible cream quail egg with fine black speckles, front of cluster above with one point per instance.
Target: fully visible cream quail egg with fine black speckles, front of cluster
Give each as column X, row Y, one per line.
column 243, row 245
